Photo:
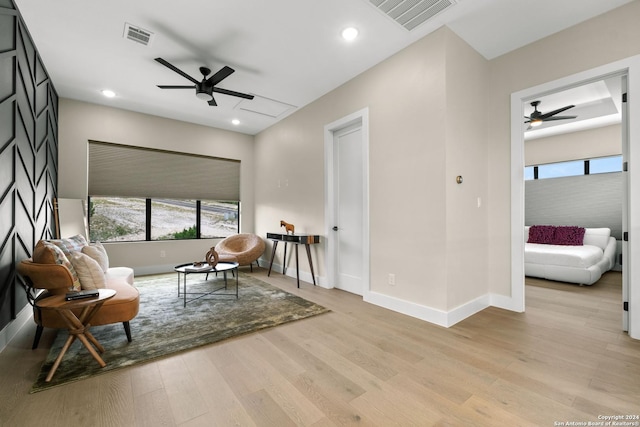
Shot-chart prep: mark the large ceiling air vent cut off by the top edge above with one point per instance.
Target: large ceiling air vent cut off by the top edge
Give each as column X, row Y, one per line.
column 411, row 13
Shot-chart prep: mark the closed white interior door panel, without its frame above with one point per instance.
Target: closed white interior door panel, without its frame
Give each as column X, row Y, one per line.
column 349, row 207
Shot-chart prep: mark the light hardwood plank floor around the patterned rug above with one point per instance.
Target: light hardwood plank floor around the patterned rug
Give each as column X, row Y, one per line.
column 564, row 360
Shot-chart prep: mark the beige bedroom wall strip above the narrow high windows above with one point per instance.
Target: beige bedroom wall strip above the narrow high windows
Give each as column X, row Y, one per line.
column 587, row 144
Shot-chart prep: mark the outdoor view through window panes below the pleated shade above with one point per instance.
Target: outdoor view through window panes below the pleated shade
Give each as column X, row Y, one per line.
column 114, row 219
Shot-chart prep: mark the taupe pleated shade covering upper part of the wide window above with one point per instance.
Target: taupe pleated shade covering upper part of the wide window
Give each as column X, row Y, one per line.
column 117, row 170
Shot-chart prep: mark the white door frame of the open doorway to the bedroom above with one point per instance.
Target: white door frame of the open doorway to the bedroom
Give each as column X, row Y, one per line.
column 631, row 68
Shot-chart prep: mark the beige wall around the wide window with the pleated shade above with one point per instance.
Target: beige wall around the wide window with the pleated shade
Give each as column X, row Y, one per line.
column 80, row 122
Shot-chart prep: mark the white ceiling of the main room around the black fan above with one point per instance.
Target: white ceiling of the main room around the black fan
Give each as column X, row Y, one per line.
column 286, row 52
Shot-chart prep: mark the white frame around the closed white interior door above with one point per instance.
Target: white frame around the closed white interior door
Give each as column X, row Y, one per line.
column 359, row 117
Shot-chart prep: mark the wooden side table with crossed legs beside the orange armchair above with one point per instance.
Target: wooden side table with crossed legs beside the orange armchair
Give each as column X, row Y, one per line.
column 78, row 326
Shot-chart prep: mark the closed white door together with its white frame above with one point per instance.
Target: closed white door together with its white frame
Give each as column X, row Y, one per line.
column 347, row 203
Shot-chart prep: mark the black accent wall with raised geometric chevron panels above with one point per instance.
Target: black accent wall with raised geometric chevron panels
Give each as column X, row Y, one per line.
column 28, row 154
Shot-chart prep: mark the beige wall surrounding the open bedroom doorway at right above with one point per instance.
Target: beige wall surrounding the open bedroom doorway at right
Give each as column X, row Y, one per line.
column 599, row 41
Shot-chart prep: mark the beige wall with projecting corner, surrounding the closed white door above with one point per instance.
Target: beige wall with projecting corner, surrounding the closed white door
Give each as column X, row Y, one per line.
column 423, row 132
